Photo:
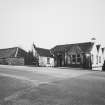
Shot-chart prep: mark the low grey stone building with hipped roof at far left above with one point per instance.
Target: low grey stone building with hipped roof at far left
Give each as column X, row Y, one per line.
column 12, row 56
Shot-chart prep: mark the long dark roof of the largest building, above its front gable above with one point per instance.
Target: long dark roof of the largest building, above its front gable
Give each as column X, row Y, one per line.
column 85, row 47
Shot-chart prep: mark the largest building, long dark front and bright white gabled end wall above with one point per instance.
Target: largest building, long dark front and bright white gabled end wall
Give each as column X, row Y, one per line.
column 88, row 55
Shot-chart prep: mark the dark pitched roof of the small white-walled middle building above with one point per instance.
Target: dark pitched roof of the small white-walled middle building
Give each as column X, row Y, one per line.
column 43, row 52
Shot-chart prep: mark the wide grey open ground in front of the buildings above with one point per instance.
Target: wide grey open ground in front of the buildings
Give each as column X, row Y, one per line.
column 21, row 85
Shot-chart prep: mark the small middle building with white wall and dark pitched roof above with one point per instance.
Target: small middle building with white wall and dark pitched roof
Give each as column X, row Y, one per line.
column 44, row 56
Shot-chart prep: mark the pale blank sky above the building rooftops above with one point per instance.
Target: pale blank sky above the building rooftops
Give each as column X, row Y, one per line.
column 50, row 22
